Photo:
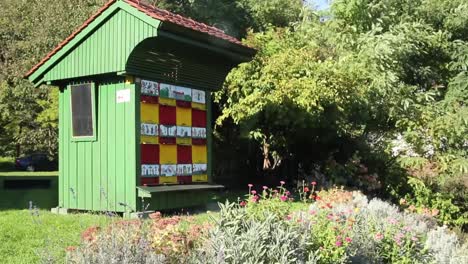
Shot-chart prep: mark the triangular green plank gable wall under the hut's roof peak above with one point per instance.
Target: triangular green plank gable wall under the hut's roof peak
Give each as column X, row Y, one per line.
column 106, row 49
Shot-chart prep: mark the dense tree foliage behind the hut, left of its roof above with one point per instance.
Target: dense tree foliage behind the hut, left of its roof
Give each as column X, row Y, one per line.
column 28, row 30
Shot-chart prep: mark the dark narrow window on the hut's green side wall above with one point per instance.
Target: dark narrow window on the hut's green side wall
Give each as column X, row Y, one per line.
column 82, row 110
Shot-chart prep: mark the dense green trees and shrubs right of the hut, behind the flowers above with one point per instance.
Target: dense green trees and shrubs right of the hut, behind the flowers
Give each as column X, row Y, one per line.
column 374, row 96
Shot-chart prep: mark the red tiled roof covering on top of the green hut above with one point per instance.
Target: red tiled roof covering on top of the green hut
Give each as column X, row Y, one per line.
column 154, row 12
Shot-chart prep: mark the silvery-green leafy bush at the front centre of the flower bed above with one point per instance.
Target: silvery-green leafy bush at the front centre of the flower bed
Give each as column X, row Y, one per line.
column 239, row 238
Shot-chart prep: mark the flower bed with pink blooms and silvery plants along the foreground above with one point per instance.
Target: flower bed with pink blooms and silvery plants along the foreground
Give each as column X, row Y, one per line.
column 334, row 226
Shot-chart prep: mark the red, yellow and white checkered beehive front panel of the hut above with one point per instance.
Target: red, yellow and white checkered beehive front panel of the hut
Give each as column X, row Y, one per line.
column 173, row 134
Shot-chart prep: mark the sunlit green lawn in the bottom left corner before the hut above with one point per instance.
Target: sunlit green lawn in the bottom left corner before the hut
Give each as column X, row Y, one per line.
column 25, row 237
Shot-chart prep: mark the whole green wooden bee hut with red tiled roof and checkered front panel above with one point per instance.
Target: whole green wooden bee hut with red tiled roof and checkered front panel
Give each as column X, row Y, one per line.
column 135, row 114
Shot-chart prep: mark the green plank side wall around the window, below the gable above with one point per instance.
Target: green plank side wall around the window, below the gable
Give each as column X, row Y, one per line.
column 100, row 174
